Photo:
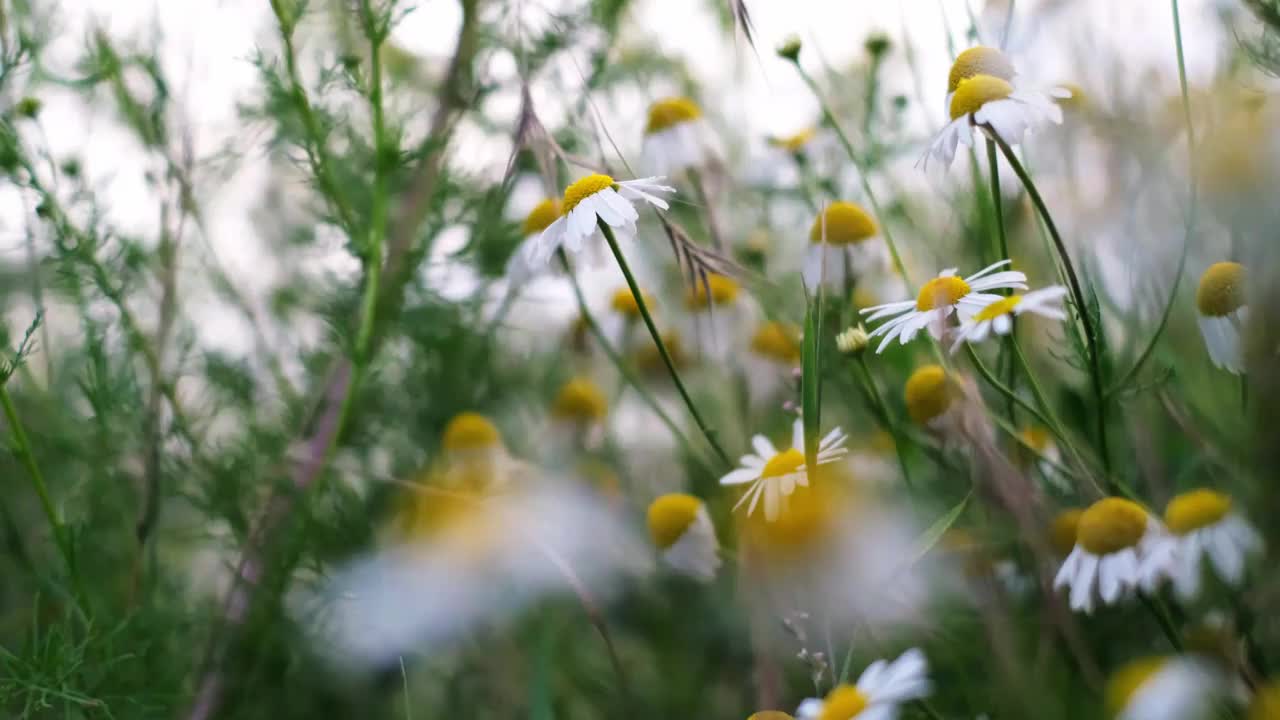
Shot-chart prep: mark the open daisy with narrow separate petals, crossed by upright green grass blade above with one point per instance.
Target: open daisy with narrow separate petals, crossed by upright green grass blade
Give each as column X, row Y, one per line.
column 775, row 473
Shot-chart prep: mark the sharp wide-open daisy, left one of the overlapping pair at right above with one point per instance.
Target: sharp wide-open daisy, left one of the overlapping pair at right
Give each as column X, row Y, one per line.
column 939, row 299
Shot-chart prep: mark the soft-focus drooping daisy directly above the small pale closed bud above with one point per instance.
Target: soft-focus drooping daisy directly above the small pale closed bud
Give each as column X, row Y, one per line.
column 844, row 240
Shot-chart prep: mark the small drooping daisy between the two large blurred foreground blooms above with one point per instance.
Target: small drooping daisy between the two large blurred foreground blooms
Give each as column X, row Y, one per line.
column 683, row 532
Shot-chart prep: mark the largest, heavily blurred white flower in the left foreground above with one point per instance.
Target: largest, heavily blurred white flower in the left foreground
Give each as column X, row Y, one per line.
column 469, row 560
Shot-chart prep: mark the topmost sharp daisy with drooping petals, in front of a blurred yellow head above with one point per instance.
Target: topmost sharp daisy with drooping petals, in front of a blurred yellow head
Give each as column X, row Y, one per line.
column 993, row 106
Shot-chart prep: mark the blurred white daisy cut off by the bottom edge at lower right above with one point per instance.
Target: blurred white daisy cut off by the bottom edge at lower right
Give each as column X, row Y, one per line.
column 1164, row 689
